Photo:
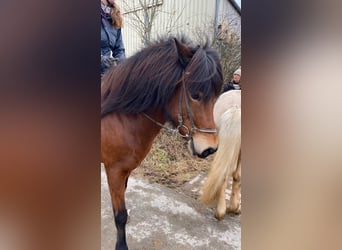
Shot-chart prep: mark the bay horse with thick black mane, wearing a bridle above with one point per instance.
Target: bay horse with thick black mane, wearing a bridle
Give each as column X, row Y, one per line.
column 169, row 81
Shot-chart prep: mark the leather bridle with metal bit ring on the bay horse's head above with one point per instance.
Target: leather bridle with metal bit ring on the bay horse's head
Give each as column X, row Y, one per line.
column 189, row 131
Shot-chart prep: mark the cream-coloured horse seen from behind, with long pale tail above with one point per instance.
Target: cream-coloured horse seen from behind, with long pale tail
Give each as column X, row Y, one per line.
column 227, row 160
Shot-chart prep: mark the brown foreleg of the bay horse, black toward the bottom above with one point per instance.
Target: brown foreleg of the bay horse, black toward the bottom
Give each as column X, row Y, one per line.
column 117, row 181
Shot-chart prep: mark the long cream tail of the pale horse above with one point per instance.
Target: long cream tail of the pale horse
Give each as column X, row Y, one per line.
column 226, row 157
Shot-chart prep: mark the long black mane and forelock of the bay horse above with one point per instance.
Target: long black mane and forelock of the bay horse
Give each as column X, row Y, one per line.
column 148, row 79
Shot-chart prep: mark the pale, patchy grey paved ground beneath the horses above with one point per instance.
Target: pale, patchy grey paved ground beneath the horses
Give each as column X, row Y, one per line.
column 161, row 218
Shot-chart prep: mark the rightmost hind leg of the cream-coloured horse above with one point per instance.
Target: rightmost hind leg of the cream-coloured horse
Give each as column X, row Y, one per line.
column 234, row 203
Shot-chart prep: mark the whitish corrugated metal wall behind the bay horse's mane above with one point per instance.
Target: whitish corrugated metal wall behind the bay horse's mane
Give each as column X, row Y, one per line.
column 195, row 18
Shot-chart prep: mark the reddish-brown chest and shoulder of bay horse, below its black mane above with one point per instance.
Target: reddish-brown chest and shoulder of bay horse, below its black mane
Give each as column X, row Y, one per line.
column 129, row 136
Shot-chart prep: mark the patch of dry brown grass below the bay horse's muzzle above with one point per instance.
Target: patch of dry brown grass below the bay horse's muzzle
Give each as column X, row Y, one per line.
column 170, row 163
